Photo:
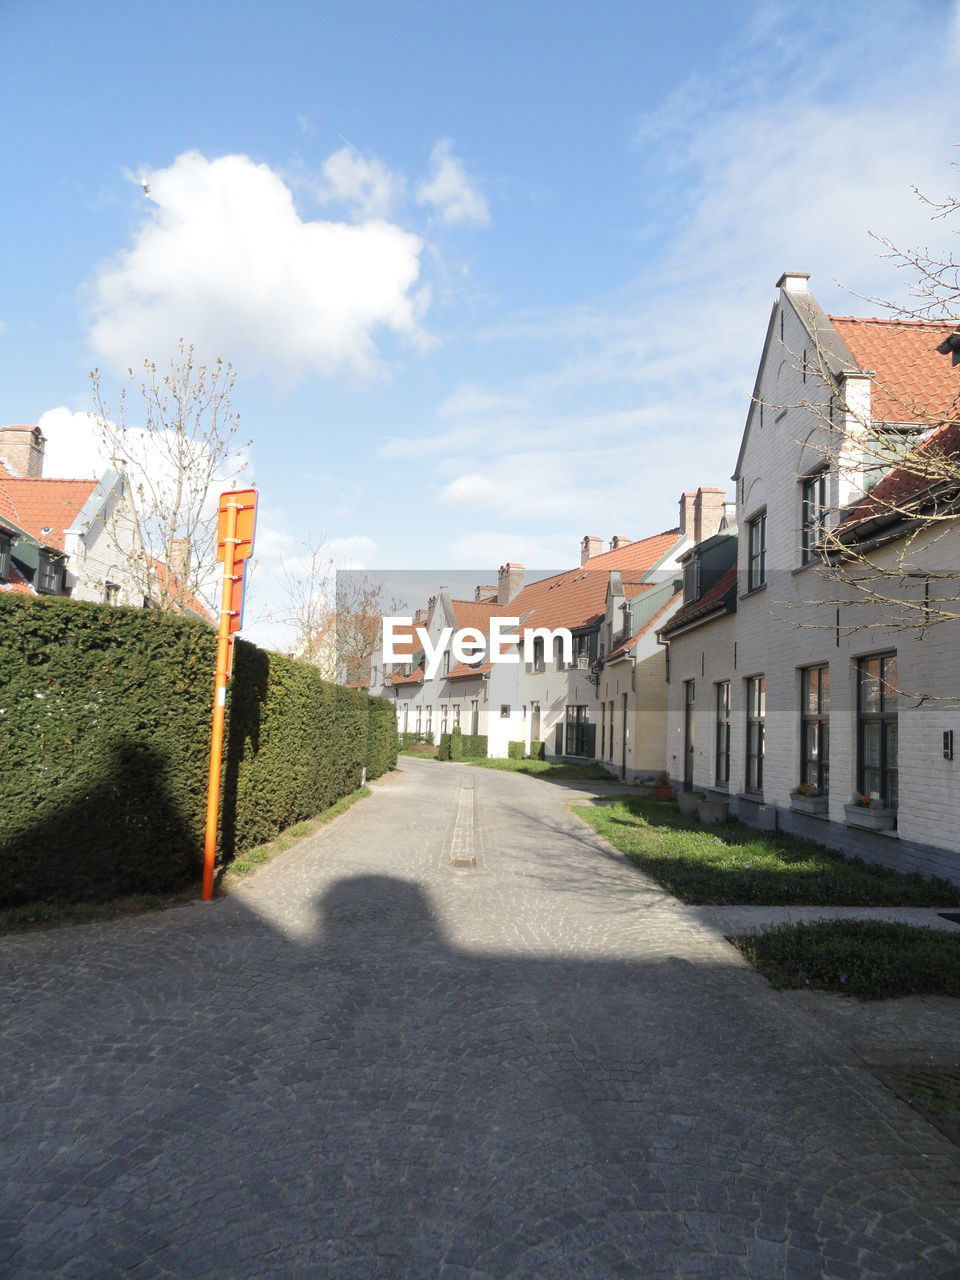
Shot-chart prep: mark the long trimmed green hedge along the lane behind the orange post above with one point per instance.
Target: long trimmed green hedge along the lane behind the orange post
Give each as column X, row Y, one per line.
column 106, row 738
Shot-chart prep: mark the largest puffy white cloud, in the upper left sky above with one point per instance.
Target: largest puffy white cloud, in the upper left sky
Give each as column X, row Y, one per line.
column 223, row 259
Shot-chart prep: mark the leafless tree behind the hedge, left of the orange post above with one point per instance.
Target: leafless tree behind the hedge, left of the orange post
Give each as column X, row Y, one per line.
column 177, row 449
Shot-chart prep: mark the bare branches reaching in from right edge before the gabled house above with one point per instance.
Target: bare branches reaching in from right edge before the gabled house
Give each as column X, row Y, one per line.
column 890, row 540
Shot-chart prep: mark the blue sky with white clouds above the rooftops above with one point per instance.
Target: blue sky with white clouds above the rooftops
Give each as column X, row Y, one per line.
column 492, row 275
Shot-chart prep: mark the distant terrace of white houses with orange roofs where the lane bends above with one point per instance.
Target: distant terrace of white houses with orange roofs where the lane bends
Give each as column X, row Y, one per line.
column 565, row 705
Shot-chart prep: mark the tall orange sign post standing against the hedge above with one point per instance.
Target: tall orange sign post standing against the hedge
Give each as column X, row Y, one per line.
column 235, row 546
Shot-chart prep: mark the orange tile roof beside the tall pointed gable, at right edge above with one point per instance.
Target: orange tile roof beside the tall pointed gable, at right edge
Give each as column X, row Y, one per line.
column 915, row 382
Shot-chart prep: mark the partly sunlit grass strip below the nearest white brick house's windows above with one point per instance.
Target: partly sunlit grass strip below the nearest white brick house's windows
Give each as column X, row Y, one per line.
column 734, row 865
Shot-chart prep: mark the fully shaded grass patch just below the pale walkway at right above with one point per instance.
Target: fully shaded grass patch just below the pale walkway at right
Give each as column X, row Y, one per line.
column 871, row 959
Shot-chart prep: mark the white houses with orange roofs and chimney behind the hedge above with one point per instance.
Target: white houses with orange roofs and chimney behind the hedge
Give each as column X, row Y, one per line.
column 76, row 538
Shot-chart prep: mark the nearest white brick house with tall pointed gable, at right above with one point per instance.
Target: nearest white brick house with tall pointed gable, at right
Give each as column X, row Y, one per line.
column 781, row 678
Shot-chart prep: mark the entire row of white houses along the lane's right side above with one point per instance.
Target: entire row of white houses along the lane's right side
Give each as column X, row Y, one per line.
column 793, row 651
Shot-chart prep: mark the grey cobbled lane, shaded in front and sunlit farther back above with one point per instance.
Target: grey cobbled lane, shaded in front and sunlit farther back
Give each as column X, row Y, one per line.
column 372, row 1063
